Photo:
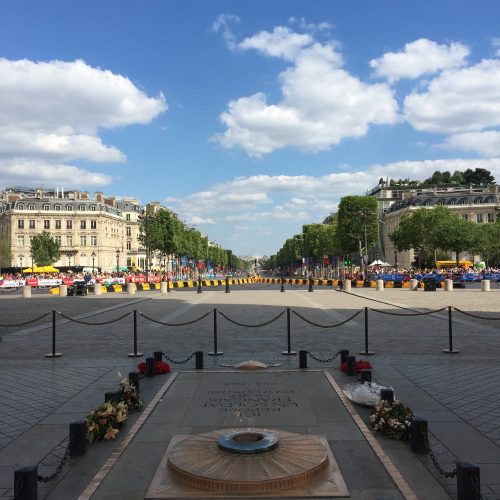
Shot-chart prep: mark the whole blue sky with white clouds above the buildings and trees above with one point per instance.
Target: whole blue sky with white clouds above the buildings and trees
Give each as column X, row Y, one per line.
column 248, row 119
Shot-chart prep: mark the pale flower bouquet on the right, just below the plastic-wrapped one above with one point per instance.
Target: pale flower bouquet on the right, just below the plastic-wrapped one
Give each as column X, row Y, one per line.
column 392, row 420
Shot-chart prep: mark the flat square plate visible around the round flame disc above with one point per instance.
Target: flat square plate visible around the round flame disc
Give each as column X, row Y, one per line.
column 329, row 484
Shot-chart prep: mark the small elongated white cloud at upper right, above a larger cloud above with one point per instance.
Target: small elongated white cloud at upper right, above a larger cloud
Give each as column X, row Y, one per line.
column 419, row 58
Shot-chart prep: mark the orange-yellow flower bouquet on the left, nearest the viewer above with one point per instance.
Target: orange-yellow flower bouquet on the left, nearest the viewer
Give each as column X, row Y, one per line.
column 106, row 421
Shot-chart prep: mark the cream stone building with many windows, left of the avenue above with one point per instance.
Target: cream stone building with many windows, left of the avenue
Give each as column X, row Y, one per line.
column 90, row 231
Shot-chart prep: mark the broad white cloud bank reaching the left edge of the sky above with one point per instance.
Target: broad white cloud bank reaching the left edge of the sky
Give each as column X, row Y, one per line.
column 54, row 110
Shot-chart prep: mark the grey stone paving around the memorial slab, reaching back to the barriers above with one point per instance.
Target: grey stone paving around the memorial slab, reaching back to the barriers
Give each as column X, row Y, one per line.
column 457, row 393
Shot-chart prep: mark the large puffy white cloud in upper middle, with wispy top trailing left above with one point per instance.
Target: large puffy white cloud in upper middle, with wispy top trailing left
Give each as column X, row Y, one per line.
column 321, row 105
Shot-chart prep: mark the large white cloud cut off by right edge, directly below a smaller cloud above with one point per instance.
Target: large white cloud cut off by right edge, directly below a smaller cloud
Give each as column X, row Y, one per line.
column 457, row 101
